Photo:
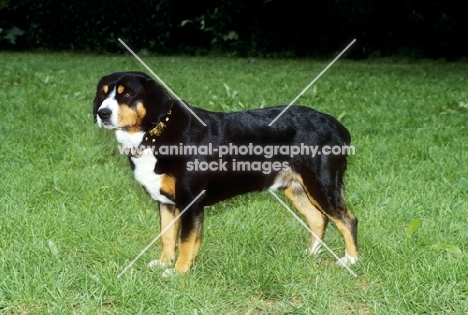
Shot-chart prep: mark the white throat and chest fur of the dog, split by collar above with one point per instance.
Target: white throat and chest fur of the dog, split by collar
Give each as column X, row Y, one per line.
column 144, row 166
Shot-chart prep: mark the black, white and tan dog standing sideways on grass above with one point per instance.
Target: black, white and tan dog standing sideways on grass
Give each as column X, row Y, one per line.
column 144, row 115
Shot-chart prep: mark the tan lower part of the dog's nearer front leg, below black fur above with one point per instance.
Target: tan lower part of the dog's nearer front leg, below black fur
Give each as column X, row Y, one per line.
column 188, row 250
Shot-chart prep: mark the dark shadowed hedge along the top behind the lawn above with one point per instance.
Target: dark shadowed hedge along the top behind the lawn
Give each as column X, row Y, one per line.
column 435, row 29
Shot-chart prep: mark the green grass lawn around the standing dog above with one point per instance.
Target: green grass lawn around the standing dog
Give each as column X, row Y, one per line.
column 72, row 217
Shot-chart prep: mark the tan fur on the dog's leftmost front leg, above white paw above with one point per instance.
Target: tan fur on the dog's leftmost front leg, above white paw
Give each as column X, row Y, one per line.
column 168, row 238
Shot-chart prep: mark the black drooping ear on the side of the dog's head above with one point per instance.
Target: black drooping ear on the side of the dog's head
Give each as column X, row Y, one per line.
column 156, row 101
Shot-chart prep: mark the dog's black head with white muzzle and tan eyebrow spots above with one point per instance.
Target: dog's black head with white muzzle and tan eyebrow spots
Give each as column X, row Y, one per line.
column 130, row 101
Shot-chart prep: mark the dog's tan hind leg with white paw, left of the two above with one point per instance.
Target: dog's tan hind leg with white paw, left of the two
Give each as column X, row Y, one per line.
column 315, row 219
